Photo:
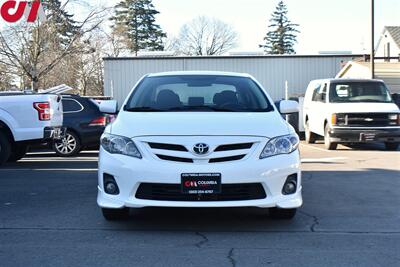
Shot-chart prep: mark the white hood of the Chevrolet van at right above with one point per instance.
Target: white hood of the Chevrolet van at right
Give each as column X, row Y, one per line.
column 364, row 108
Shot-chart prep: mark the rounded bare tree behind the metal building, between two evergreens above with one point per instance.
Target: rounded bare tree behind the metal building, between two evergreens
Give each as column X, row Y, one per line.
column 205, row 36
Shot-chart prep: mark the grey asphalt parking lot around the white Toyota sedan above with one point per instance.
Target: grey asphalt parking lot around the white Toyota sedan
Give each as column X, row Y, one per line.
column 351, row 217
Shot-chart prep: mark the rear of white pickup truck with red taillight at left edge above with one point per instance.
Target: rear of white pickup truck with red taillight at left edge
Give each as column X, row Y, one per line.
column 27, row 119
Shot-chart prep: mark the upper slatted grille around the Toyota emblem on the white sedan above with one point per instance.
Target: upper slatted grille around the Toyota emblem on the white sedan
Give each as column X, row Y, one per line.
column 180, row 153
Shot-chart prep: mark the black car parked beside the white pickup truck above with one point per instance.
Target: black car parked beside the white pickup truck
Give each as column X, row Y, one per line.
column 85, row 124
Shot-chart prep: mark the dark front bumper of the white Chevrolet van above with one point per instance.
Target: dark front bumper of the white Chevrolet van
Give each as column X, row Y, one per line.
column 364, row 135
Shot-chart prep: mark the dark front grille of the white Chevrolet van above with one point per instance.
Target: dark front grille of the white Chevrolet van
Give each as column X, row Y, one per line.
column 364, row 120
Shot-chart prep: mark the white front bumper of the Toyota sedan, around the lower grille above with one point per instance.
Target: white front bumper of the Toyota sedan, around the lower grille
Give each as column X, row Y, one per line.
column 129, row 173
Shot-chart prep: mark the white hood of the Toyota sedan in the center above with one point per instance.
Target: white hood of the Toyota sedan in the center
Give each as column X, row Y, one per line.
column 265, row 124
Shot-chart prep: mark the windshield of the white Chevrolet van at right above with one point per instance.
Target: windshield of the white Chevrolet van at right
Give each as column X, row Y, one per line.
column 350, row 92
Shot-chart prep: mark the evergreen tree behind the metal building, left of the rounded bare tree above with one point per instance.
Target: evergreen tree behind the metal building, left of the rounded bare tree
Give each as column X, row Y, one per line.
column 135, row 21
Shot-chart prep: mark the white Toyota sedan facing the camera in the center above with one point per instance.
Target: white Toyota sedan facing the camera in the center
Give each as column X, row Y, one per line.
column 199, row 139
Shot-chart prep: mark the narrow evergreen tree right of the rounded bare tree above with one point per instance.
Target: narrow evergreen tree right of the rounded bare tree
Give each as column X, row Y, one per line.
column 282, row 36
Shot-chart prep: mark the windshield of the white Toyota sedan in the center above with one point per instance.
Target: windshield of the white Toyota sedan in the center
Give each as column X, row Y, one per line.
column 206, row 93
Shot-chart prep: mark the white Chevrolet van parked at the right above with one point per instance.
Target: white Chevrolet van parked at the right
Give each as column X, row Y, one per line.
column 351, row 111
